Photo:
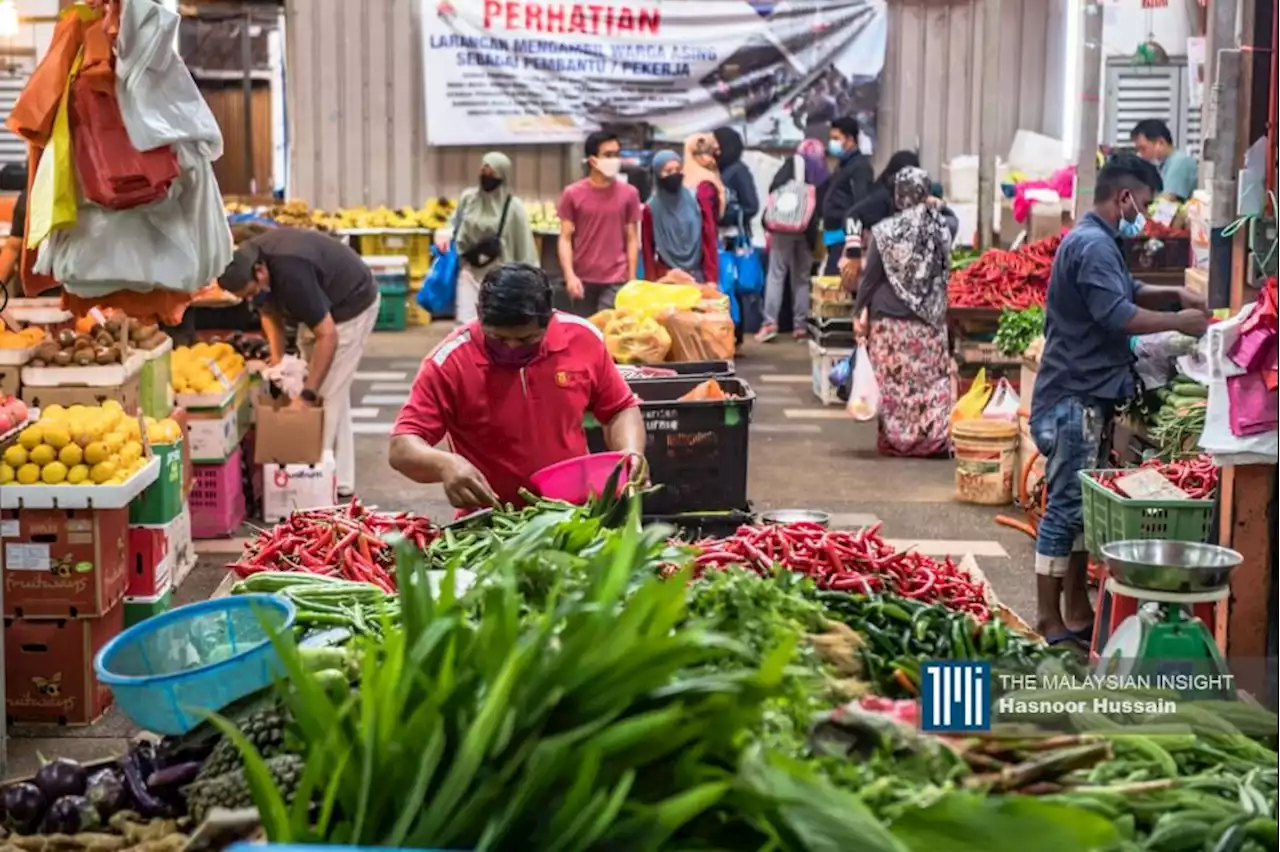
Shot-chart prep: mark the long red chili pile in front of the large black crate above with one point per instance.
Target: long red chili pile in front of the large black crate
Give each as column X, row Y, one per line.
column 854, row 562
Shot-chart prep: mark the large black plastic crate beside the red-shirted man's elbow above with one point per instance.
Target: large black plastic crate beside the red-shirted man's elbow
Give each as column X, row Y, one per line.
column 697, row 451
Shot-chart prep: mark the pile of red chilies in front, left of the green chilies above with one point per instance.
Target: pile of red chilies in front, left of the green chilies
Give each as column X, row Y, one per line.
column 344, row 542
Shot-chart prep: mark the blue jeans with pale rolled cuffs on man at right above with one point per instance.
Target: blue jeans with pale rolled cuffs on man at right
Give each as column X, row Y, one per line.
column 1075, row 436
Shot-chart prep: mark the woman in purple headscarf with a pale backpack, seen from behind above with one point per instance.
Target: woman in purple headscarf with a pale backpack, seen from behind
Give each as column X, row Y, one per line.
column 792, row 255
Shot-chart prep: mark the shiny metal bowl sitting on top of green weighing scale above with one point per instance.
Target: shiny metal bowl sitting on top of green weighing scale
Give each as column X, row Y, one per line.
column 1171, row 566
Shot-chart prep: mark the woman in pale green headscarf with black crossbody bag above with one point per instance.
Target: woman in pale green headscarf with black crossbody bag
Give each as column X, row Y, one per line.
column 490, row 227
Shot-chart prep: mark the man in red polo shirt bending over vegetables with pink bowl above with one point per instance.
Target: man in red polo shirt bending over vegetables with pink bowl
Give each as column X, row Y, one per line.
column 510, row 393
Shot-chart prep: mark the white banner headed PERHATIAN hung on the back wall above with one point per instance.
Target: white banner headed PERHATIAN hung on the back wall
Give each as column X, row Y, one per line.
column 510, row 72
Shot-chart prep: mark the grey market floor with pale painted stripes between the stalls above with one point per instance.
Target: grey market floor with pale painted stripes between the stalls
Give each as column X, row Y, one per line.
column 802, row 456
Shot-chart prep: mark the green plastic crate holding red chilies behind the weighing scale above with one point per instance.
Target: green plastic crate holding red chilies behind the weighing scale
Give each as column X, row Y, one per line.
column 1112, row 517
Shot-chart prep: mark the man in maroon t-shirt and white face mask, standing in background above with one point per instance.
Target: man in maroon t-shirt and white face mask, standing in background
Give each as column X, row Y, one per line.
column 600, row 228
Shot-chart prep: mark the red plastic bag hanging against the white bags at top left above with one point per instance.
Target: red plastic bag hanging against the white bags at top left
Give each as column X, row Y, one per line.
column 112, row 172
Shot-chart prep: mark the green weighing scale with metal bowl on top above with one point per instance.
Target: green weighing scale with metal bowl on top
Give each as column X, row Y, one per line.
column 1163, row 645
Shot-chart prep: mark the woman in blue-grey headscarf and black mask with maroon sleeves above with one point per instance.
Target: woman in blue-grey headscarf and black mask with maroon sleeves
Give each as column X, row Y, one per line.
column 676, row 231
